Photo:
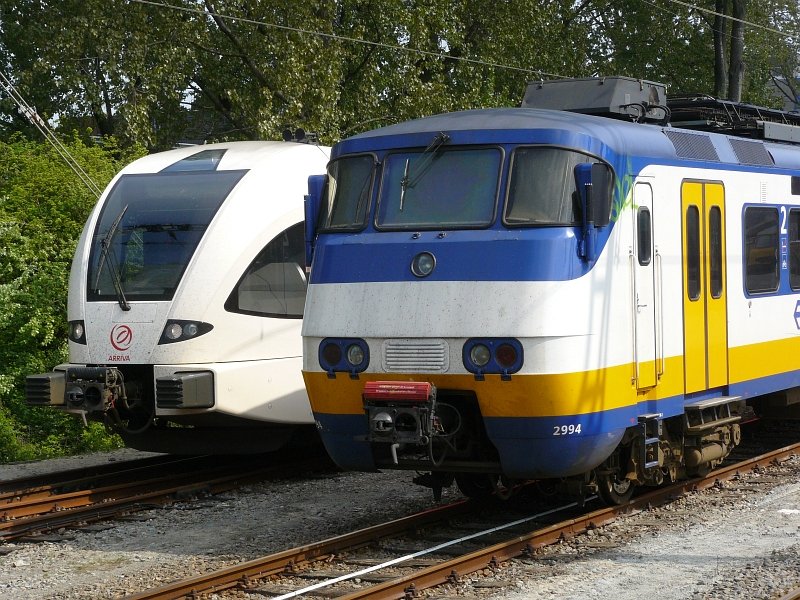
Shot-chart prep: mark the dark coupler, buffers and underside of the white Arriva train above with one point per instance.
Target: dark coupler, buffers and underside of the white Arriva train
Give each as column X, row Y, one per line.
column 125, row 399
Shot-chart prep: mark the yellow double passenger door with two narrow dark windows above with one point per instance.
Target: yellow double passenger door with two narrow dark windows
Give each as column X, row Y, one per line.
column 705, row 318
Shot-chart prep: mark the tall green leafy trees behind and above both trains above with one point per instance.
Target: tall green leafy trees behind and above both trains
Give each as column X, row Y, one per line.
column 155, row 73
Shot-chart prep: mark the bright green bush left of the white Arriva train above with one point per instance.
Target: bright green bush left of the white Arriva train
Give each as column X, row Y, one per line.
column 43, row 207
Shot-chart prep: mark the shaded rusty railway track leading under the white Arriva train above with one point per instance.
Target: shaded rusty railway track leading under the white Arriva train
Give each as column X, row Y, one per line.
column 31, row 506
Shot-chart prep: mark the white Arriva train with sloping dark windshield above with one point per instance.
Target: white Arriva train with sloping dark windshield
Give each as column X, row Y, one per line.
column 186, row 297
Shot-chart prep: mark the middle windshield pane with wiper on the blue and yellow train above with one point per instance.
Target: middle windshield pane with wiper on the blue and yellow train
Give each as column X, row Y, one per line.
column 441, row 188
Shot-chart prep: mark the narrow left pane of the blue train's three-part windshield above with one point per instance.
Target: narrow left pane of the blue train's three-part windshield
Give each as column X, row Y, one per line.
column 349, row 191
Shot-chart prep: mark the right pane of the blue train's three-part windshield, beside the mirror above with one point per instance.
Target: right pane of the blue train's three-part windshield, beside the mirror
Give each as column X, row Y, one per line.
column 542, row 189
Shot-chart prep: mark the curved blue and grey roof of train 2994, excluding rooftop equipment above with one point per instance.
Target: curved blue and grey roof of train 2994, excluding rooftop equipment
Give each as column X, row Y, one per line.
column 601, row 135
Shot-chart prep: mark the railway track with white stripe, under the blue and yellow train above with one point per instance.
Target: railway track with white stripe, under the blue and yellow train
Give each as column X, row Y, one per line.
column 401, row 558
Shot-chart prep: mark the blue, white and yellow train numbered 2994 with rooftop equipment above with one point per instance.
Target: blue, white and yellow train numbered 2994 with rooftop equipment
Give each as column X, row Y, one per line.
column 583, row 288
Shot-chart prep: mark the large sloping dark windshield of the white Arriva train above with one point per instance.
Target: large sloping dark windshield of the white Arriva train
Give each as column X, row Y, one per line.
column 149, row 229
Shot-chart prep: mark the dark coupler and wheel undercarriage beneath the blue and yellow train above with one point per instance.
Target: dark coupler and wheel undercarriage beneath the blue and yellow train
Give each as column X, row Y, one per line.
column 442, row 434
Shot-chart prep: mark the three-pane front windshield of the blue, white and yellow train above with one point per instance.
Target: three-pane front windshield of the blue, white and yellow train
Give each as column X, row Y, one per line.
column 454, row 188
